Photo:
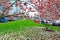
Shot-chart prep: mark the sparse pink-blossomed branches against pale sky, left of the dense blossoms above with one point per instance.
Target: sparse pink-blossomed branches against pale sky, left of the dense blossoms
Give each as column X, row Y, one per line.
column 20, row 6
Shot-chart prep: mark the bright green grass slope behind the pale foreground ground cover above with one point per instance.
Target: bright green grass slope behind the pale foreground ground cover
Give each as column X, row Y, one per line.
column 22, row 25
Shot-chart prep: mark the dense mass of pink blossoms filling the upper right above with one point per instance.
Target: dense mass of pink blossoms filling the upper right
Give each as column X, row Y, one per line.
column 49, row 9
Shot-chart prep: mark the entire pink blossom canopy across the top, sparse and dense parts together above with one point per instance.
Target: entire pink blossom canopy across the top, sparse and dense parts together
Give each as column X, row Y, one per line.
column 48, row 9
